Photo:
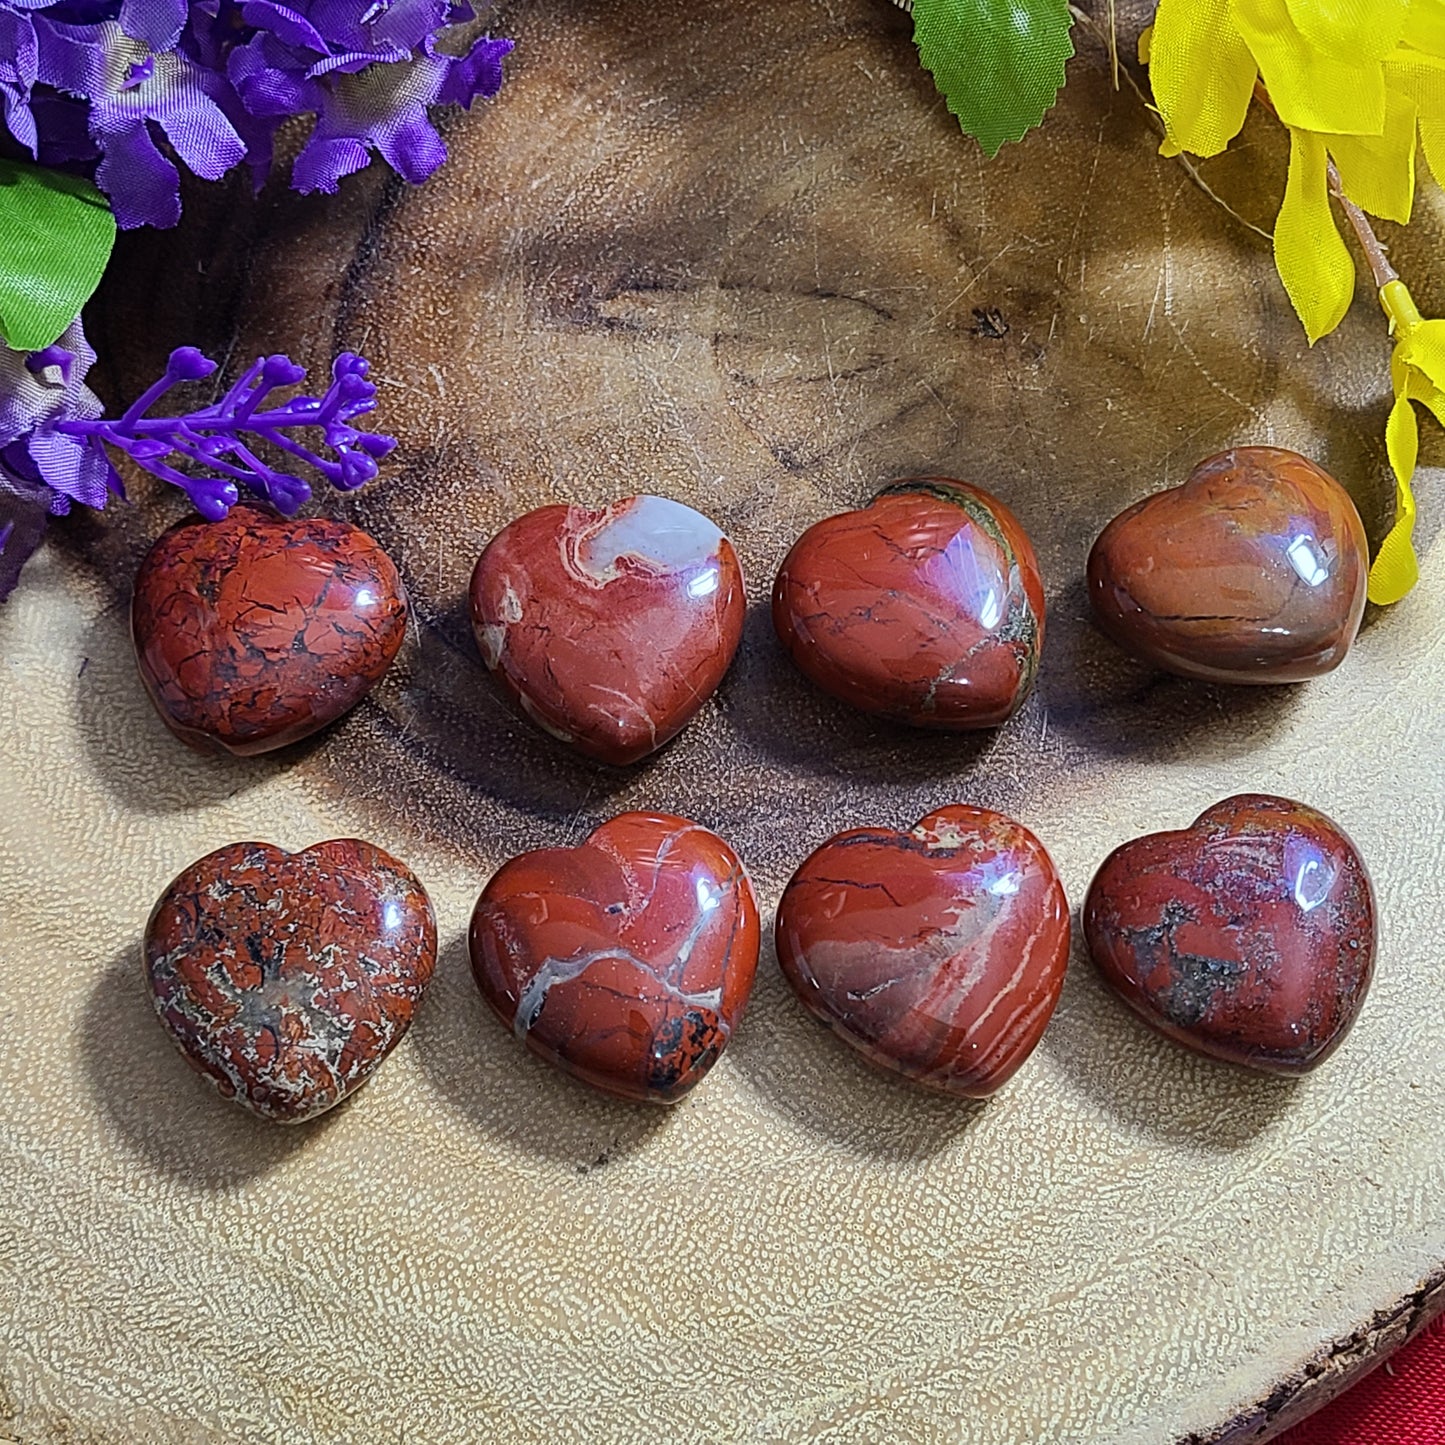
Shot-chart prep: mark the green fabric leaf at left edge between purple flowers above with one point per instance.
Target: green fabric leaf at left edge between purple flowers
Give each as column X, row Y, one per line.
column 56, row 238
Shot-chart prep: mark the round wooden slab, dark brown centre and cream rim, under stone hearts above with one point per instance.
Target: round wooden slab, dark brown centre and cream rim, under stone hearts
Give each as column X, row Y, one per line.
column 736, row 254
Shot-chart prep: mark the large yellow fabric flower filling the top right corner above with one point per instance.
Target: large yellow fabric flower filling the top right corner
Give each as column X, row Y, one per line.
column 1358, row 85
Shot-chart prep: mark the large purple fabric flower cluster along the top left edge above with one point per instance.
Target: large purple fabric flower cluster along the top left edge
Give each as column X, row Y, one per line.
column 99, row 83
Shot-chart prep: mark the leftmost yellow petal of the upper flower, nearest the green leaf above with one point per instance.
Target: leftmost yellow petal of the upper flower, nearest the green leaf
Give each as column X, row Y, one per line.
column 1203, row 76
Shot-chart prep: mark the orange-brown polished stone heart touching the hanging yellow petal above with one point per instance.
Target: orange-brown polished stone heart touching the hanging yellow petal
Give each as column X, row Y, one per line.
column 1254, row 570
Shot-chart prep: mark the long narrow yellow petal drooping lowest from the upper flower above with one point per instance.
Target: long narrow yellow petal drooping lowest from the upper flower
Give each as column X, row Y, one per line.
column 1311, row 258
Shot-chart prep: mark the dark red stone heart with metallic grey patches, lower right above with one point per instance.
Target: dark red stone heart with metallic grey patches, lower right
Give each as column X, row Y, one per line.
column 1249, row 937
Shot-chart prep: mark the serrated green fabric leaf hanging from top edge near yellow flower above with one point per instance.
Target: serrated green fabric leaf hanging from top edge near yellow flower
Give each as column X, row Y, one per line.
column 999, row 63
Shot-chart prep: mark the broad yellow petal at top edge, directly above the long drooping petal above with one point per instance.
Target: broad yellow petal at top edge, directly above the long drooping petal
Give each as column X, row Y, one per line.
column 1310, row 89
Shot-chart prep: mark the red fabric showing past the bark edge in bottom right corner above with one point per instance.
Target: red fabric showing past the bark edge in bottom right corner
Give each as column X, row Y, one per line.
column 1401, row 1404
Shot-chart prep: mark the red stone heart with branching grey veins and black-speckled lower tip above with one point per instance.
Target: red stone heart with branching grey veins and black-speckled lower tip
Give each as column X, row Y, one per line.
column 625, row 962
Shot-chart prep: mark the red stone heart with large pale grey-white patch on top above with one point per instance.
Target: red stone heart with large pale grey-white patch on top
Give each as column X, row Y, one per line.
column 611, row 629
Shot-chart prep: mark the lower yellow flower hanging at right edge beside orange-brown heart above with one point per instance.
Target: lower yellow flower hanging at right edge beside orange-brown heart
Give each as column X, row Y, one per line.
column 1418, row 375
